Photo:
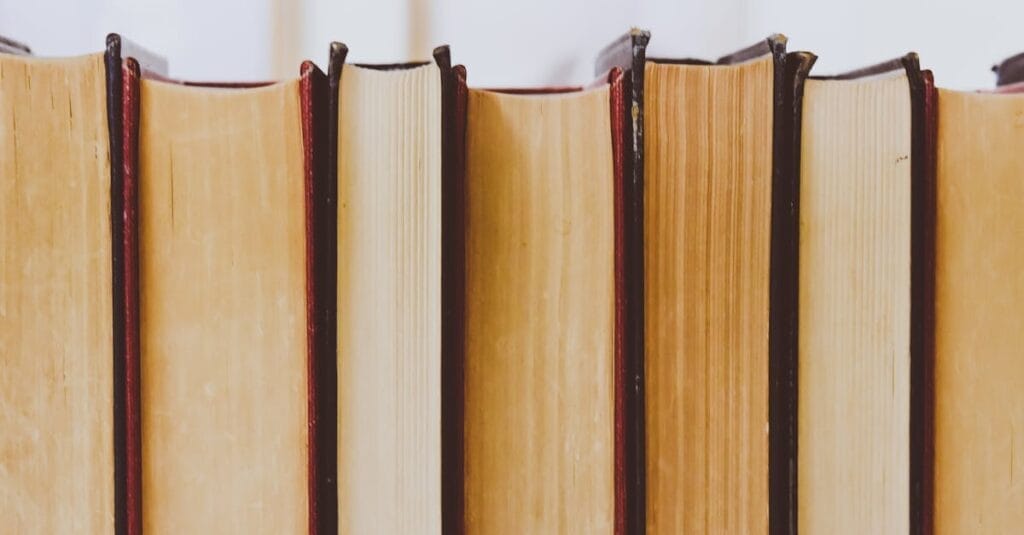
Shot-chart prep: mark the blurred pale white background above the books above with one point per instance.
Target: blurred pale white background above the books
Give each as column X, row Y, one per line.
column 522, row 43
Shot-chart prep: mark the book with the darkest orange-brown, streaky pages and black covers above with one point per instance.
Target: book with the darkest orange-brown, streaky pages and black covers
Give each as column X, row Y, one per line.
column 715, row 199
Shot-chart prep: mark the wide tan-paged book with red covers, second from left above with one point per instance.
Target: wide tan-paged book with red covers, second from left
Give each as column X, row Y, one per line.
column 231, row 186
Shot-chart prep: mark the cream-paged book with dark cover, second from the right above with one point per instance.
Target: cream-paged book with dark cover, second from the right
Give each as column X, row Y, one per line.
column 865, row 305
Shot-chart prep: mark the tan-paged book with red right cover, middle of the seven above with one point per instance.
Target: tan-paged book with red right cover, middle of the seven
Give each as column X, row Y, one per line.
column 542, row 341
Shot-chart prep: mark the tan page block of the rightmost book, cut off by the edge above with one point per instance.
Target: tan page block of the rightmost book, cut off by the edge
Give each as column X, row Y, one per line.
column 978, row 406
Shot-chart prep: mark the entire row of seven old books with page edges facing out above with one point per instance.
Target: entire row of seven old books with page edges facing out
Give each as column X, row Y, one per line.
column 727, row 297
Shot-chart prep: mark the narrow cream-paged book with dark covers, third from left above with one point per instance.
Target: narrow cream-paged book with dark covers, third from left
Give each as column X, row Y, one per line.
column 398, row 271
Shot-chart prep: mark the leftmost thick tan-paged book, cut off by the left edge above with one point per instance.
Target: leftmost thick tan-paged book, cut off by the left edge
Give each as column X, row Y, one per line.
column 63, row 331
